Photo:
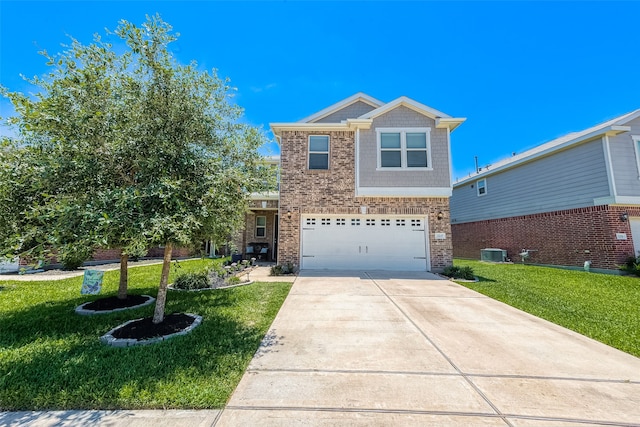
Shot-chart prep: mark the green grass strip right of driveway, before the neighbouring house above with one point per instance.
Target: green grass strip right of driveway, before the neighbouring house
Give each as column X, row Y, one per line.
column 601, row 306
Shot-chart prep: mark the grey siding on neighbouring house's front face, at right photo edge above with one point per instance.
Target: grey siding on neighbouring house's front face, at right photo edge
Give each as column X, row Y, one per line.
column 623, row 159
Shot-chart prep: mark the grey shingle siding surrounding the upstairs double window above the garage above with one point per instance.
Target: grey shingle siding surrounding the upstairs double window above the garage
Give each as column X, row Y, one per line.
column 404, row 117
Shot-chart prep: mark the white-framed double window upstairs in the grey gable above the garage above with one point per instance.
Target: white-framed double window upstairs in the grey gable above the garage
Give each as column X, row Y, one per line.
column 404, row 148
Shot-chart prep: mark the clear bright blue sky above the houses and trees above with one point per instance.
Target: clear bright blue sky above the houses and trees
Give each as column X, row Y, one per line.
column 522, row 73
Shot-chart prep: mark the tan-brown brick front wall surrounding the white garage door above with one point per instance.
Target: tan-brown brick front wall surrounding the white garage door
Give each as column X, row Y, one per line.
column 332, row 191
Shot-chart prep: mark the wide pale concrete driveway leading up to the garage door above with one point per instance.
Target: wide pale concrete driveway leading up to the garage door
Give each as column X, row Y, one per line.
column 384, row 348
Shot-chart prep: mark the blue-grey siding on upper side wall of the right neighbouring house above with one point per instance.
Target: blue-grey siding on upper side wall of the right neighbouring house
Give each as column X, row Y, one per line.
column 565, row 180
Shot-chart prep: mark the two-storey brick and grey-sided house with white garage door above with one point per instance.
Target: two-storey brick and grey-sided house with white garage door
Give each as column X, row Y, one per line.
column 363, row 185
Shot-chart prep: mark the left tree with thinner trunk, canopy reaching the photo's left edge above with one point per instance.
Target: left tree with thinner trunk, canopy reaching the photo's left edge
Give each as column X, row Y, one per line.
column 56, row 173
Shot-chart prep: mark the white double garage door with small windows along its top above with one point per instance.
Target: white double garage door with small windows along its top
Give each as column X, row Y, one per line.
column 364, row 243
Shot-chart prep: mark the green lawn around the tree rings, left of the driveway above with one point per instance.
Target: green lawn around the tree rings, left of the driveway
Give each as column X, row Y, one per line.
column 51, row 358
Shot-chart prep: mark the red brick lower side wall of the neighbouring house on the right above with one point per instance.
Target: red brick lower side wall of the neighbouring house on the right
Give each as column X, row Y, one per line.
column 567, row 237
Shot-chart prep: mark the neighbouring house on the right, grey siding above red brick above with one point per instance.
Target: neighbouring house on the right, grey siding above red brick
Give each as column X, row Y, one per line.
column 571, row 200
